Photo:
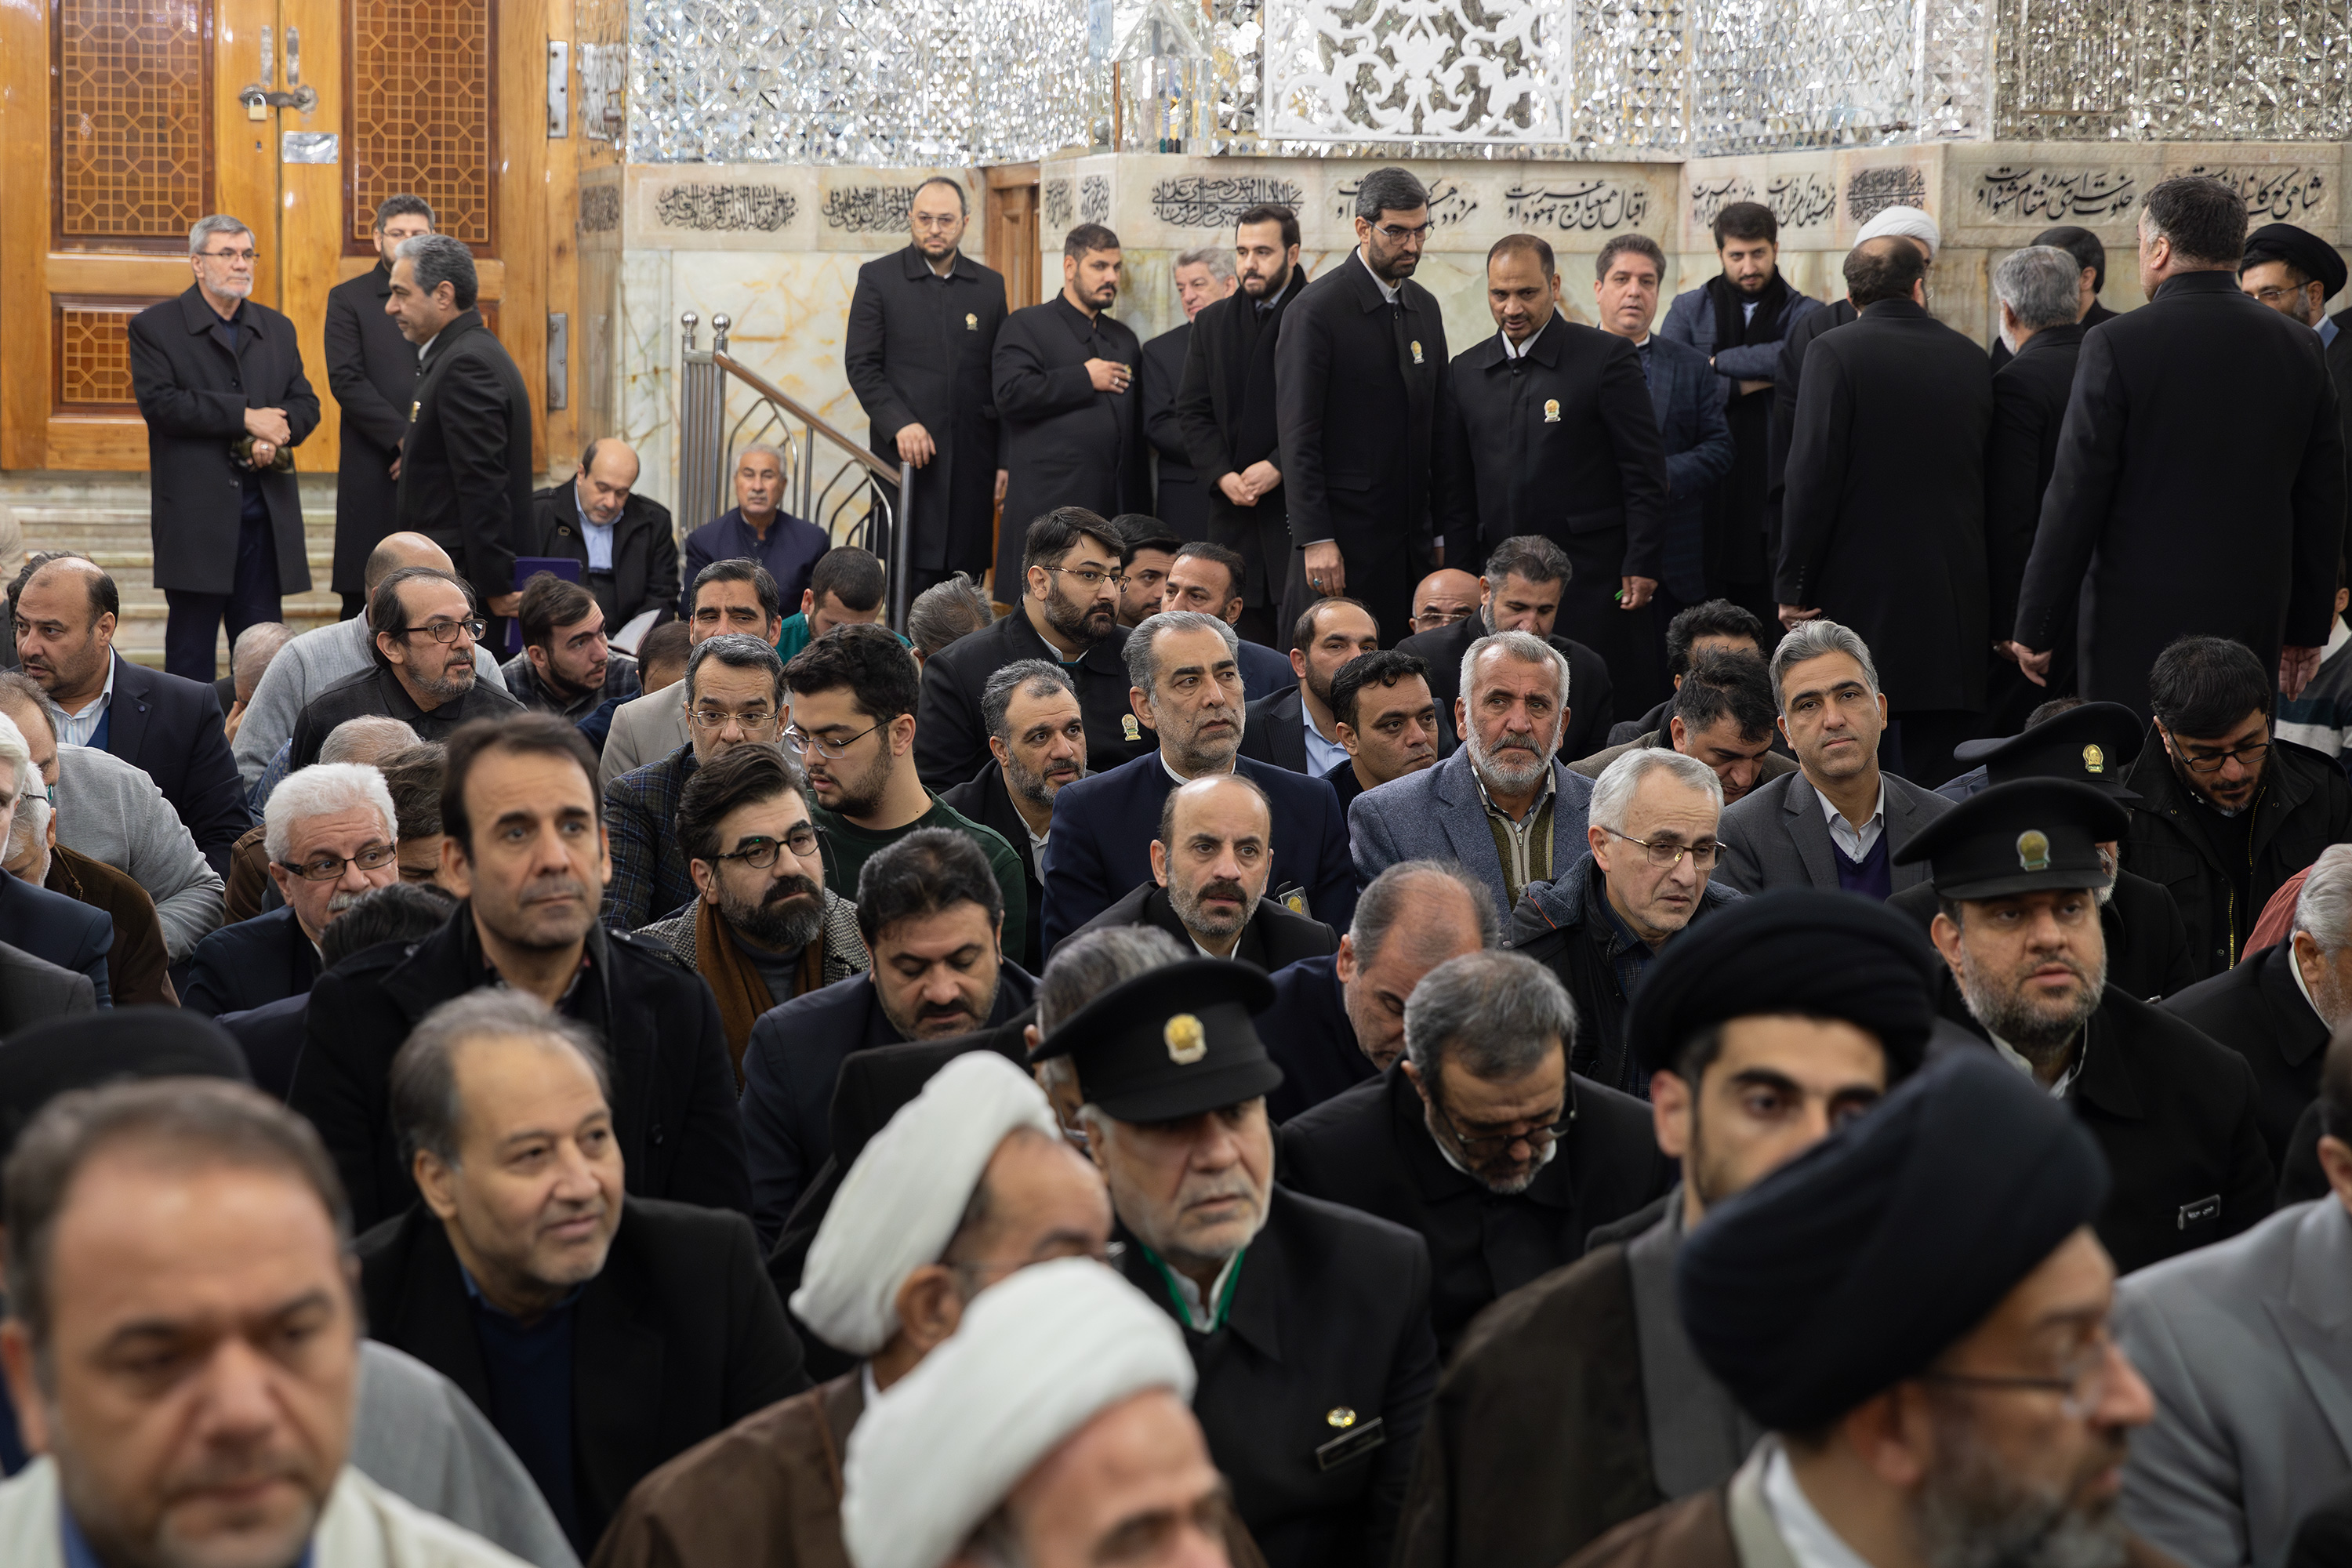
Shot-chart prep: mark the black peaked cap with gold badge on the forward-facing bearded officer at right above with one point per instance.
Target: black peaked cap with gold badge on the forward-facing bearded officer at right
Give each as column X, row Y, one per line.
column 2019, row 838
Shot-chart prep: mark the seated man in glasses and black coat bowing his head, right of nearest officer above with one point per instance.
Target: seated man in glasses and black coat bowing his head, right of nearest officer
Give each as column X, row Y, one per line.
column 1483, row 1139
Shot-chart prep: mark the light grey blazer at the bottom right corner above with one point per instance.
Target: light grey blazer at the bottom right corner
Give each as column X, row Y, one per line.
column 2247, row 1346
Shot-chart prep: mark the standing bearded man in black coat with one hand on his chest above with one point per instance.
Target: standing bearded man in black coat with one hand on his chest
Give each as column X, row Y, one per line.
column 1064, row 377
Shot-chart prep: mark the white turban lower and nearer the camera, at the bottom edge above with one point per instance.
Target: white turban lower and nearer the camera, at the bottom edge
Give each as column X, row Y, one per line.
column 1034, row 1362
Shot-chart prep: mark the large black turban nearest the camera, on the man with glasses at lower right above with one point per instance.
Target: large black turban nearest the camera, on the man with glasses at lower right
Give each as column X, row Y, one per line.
column 1857, row 1264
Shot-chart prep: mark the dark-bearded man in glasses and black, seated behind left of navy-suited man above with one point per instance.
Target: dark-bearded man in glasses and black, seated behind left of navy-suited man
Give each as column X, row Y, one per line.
column 1069, row 617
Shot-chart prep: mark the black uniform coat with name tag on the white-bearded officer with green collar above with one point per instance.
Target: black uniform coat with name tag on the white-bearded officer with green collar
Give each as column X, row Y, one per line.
column 1330, row 1313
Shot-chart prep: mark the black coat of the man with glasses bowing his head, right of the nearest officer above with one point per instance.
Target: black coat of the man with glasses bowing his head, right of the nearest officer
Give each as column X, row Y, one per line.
column 1372, row 1151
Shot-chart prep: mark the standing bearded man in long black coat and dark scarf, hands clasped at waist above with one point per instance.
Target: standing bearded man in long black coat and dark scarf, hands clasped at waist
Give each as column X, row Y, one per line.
column 1227, row 410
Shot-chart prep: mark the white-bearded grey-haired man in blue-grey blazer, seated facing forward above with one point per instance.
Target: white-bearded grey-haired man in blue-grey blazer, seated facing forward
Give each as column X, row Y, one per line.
column 1502, row 805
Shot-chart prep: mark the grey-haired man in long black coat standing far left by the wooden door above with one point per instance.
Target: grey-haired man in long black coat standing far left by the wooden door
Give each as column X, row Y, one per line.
column 222, row 391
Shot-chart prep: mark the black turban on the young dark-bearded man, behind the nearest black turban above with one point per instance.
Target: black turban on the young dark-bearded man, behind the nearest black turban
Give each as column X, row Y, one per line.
column 1791, row 951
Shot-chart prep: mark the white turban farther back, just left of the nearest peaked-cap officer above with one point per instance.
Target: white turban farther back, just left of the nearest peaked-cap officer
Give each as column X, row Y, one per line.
column 907, row 1193
